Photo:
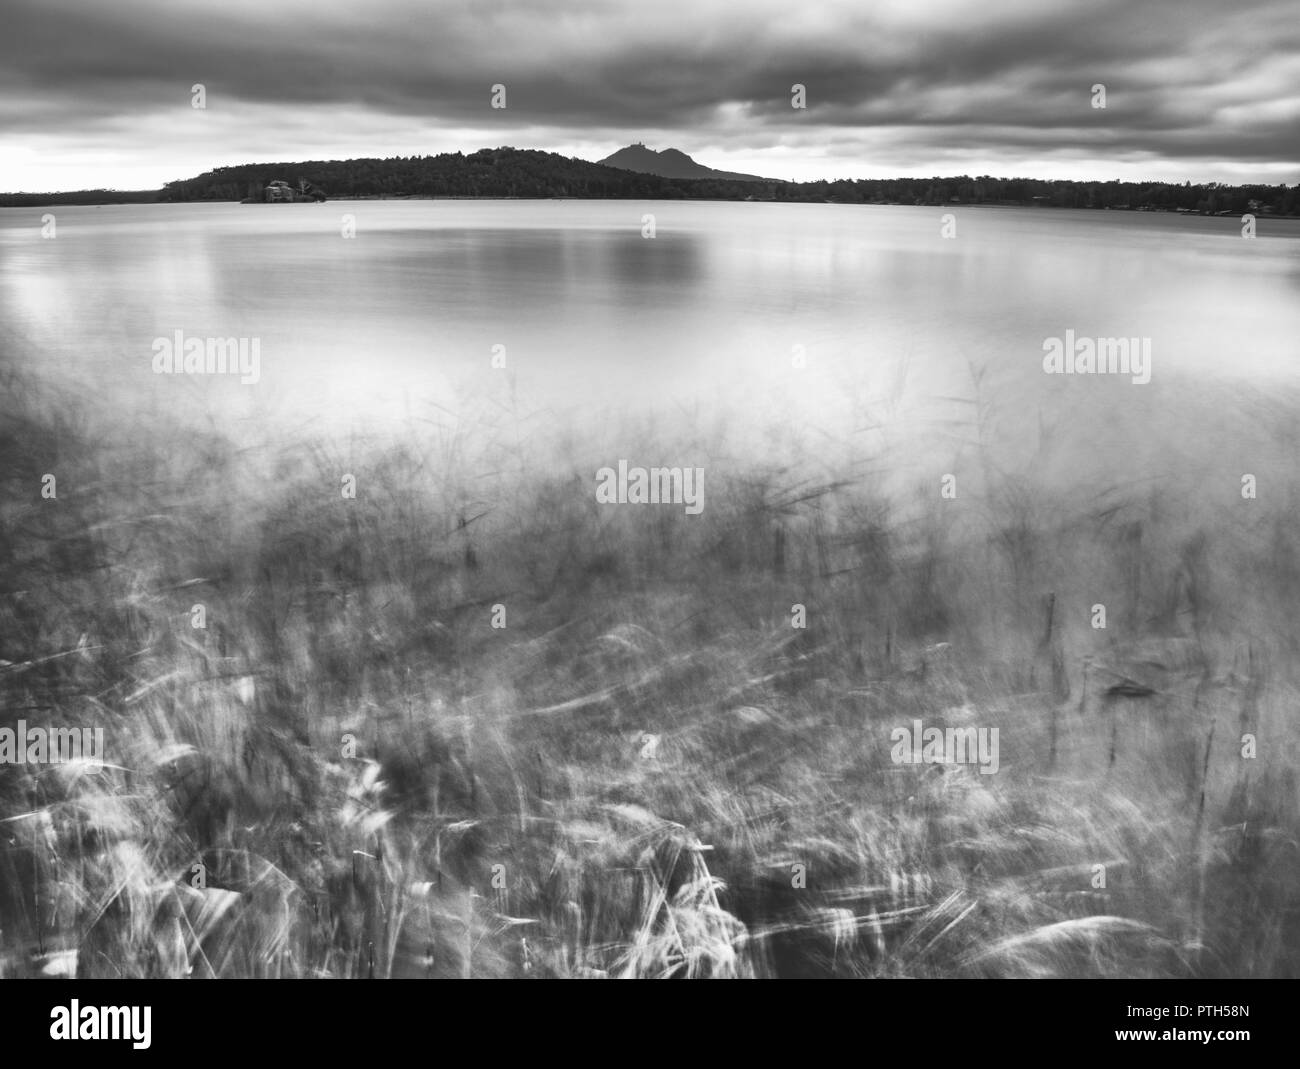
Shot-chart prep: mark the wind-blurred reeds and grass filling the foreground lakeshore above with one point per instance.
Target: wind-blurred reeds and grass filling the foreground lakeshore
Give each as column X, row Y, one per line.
column 349, row 772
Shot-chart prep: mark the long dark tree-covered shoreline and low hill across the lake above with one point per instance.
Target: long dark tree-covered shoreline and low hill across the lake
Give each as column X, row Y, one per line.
column 527, row 174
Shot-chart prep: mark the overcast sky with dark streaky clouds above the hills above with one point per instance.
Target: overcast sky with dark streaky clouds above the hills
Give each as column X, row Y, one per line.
column 101, row 93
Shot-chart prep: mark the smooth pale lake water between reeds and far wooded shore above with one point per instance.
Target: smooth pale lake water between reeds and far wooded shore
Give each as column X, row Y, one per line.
column 895, row 322
